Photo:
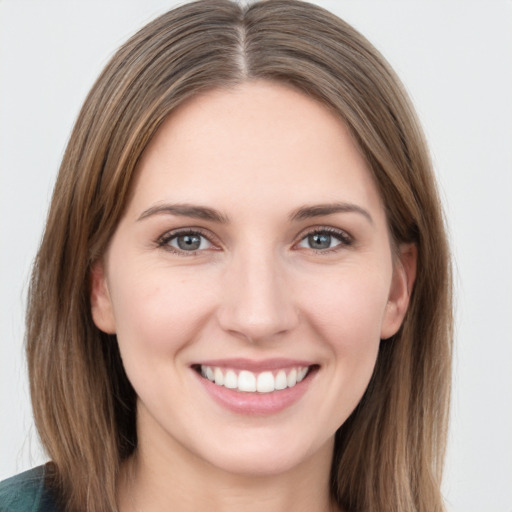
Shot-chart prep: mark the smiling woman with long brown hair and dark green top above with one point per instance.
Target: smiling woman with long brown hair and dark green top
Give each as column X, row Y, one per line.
column 242, row 297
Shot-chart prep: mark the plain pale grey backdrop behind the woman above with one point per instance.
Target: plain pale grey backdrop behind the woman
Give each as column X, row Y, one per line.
column 455, row 58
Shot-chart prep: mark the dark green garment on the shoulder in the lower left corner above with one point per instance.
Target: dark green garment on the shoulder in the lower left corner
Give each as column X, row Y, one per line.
column 26, row 492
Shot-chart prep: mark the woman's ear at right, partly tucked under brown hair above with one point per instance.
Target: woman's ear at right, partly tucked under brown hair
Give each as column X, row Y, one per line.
column 404, row 274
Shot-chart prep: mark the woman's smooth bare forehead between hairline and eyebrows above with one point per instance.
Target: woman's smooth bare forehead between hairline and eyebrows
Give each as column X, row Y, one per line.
column 257, row 140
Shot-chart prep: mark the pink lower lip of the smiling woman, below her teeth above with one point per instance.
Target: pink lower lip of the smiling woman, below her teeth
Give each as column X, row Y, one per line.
column 255, row 404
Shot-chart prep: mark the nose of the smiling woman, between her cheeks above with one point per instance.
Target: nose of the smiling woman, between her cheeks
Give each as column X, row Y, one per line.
column 257, row 299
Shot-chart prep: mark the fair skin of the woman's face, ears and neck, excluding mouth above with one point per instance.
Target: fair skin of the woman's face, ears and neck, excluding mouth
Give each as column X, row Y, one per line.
column 255, row 289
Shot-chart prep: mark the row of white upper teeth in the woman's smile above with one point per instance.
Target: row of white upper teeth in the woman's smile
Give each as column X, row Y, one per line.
column 249, row 382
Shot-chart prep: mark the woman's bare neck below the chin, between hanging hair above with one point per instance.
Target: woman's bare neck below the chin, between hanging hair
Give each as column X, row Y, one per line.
column 157, row 480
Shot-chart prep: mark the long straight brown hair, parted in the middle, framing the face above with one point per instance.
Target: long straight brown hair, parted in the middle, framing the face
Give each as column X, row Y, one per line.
column 389, row 453
